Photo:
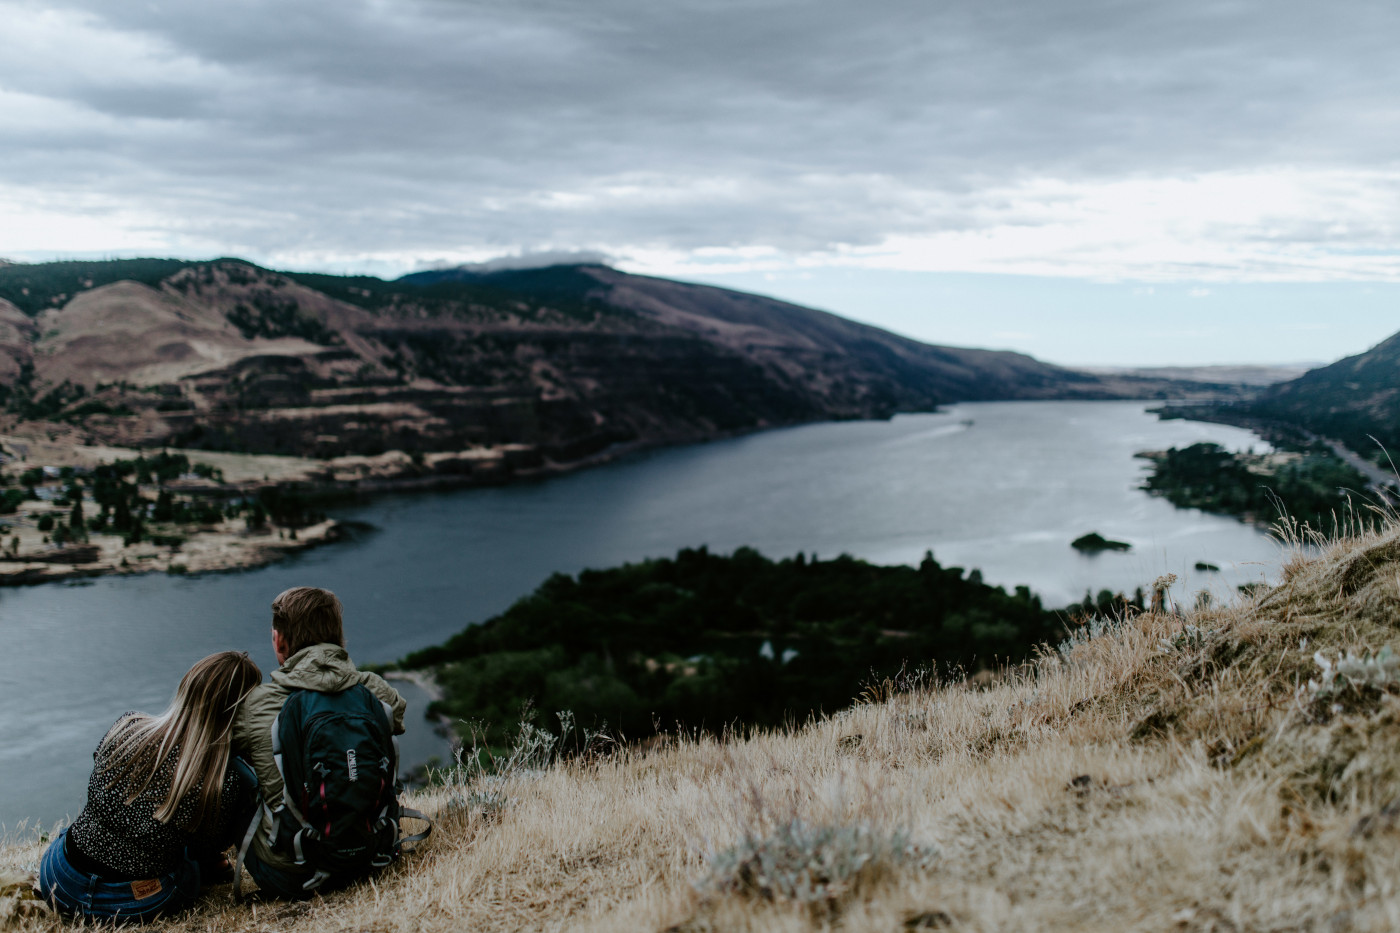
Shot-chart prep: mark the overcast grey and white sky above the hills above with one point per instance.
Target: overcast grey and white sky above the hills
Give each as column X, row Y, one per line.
column 1093, row 181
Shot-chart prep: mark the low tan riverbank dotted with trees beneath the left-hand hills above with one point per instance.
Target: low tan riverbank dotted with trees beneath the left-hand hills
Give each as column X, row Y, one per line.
column 45, row 476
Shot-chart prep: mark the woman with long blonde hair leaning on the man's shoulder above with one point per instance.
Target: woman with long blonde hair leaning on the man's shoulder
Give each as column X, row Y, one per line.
column 166, row 801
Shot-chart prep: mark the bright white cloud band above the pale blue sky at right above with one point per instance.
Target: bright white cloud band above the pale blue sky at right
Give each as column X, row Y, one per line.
column 1228, row 228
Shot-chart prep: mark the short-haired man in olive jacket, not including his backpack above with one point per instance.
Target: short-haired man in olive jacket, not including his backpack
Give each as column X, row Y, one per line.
column 309, row 640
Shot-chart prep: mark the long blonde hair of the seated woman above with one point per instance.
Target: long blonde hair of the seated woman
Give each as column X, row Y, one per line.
column 199, row 724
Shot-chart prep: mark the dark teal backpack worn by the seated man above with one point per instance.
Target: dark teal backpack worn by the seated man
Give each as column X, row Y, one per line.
column 339, row 764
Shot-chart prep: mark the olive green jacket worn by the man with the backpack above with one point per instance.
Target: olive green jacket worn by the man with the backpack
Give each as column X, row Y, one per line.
column 325, row 669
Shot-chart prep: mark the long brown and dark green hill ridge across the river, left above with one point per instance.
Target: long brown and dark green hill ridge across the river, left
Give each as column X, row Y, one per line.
column 556, row 365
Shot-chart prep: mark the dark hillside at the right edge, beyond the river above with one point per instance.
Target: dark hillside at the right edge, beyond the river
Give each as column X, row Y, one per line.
column 1354, row 400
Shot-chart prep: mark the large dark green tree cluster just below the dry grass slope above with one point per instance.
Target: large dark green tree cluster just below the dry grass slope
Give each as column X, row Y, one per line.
column 706, row 641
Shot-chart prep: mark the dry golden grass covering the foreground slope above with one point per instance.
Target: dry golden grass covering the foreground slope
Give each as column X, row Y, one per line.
column 1156, row 778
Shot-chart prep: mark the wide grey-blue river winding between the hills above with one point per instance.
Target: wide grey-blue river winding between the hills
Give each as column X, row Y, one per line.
column 1003, row 487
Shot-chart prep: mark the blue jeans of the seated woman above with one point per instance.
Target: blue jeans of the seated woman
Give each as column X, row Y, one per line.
column 82, row 894
